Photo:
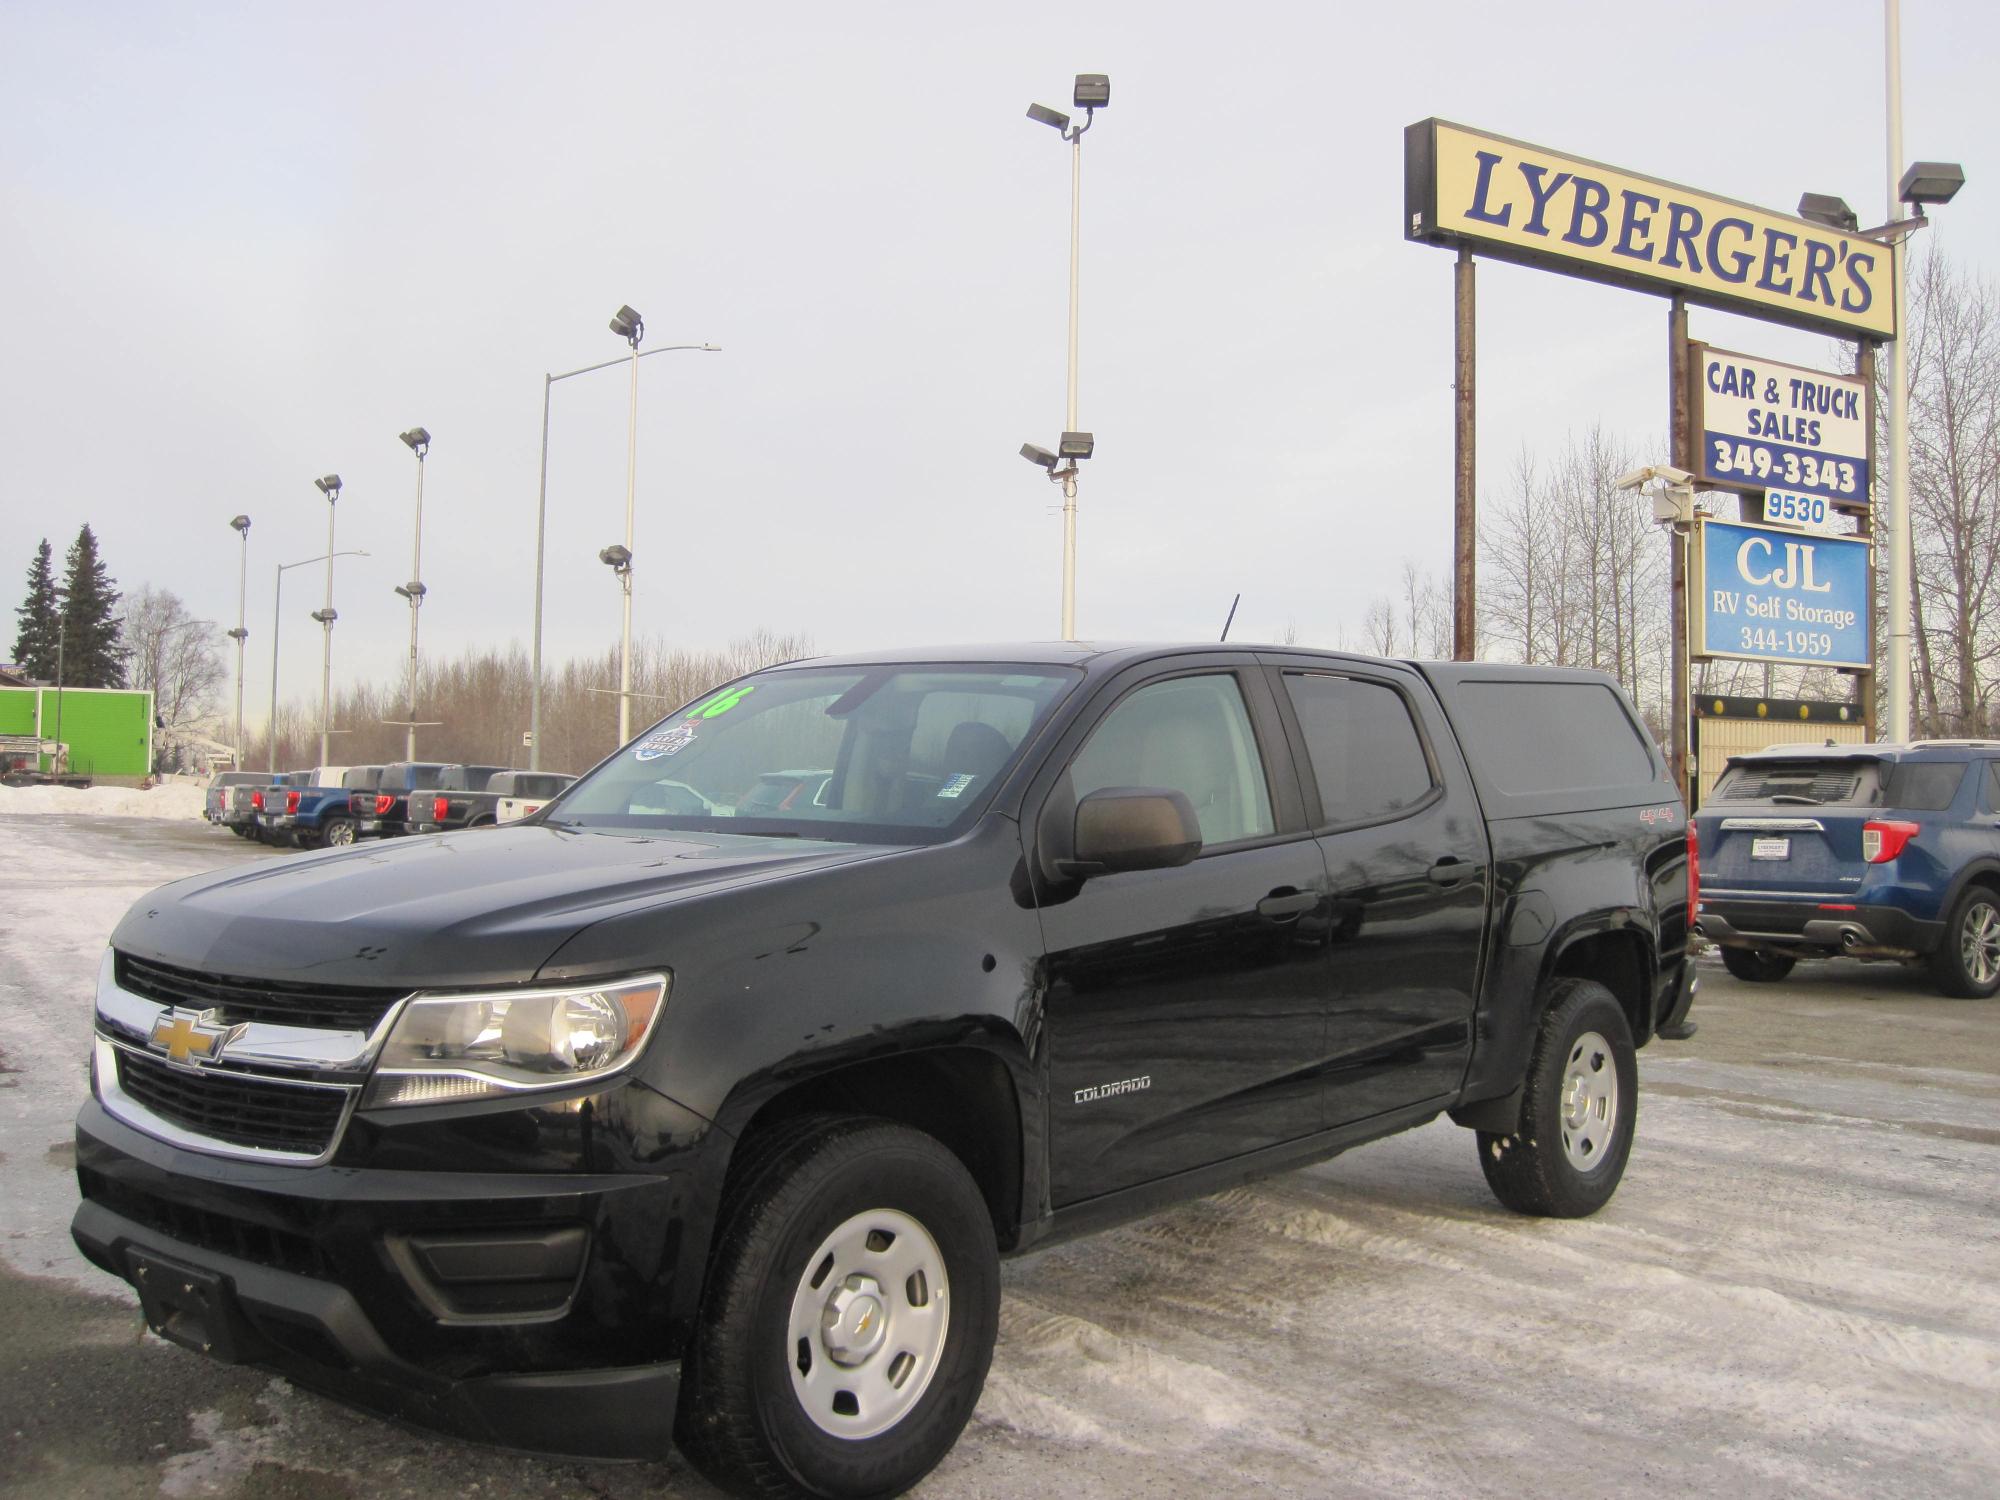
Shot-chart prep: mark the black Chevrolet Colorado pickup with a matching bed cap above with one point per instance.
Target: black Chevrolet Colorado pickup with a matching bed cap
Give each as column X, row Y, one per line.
column 677, row 1115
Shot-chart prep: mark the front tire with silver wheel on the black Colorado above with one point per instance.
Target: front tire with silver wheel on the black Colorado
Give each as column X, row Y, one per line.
column 849, row 1319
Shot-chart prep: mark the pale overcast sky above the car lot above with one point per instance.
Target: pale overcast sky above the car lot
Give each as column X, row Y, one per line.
column 249, row 245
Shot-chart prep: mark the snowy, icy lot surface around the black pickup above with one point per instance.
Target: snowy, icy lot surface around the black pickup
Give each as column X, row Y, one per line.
column 1793, row 1293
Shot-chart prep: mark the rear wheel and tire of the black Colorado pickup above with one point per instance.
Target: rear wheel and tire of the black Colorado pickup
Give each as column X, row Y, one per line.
column 1577, row 1113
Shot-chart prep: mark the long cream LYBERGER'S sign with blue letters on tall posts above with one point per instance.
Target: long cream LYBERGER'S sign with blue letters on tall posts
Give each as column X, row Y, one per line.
column 1575, row 217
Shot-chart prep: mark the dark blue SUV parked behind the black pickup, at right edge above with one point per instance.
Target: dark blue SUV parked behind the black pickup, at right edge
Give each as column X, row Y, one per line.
column 1861, row 851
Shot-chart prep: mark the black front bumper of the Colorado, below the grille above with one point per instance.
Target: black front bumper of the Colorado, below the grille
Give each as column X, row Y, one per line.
column 377, row 1287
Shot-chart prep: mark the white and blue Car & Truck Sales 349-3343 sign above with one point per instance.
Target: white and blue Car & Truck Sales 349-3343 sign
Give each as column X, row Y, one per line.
column 1781, row 427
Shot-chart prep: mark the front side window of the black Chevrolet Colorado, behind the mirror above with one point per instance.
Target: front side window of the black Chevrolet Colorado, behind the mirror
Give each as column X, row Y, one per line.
column 1191, row 737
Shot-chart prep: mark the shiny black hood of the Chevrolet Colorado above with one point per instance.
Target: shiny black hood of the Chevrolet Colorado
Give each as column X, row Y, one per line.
column 483, row 907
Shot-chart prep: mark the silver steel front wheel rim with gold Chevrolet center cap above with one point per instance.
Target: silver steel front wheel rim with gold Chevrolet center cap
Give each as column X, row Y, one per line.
column 867, row 1325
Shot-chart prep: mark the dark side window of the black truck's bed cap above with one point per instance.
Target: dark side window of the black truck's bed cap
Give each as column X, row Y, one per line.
column 1551, row 737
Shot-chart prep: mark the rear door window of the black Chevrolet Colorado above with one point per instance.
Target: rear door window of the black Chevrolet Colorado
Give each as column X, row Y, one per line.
column 1367, row 757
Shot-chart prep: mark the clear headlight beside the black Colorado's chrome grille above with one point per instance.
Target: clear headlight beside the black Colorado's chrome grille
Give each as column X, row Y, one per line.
column 461, row 1047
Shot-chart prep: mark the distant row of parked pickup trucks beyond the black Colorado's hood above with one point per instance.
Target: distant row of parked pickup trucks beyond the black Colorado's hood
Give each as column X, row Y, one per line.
column 331, row 807
